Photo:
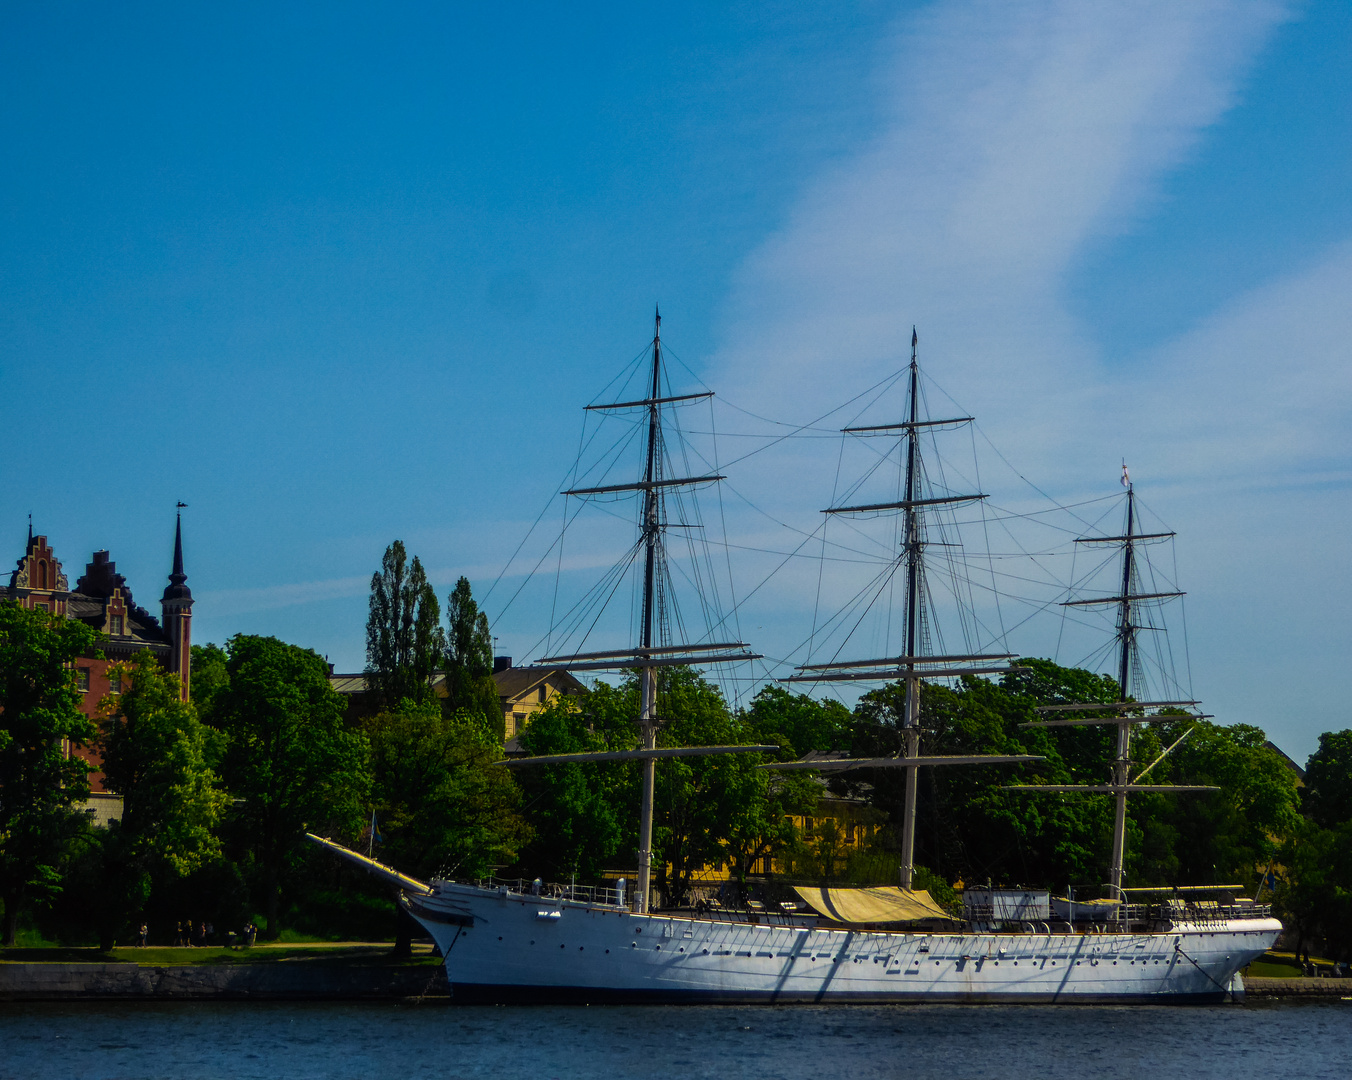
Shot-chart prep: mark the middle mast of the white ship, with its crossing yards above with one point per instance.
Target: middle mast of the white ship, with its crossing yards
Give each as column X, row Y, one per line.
column 913, row 667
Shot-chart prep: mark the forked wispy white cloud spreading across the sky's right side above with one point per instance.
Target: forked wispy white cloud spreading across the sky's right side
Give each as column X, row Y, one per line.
column 1017, row 137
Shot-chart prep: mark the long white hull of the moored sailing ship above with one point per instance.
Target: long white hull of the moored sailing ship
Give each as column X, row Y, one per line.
column 506, row 947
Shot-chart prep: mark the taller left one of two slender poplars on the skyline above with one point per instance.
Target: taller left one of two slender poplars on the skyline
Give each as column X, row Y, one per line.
column 405, row 641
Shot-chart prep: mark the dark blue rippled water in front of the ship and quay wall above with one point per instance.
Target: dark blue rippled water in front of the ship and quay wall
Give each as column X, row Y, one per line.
column 302, row 1041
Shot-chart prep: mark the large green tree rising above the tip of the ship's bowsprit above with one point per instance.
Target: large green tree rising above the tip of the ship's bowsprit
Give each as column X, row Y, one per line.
column 290, row 760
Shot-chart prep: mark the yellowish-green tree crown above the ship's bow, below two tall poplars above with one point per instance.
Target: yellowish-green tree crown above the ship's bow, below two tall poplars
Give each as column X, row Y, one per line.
column 441, row 801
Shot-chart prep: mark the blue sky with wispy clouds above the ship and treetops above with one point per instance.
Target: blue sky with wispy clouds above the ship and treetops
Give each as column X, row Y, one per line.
column 336, row 275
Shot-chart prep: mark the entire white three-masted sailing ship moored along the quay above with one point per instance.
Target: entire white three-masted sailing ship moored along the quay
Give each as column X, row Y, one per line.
column 513, row 941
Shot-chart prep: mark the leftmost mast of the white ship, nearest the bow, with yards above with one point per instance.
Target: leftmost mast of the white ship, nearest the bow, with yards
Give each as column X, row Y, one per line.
column 651, row 654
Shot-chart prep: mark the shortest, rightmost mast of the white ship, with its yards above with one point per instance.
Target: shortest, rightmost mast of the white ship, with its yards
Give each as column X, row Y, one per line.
column 1127, row 602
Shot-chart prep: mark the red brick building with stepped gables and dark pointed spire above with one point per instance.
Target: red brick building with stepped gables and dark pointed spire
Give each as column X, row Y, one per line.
column 103, row 599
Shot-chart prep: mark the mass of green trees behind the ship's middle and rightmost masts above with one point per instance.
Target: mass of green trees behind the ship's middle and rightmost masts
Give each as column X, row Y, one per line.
column 969, row 828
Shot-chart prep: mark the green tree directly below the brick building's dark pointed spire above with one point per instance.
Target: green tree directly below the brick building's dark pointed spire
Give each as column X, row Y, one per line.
column 155, row 756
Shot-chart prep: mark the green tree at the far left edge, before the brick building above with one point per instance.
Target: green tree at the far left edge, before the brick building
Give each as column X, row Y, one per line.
column 40, row 782
